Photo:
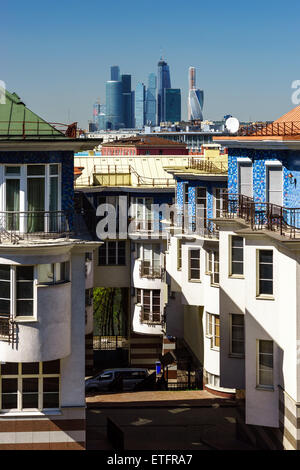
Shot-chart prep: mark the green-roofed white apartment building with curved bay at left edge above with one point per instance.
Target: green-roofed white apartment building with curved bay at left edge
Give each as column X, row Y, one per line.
column 42, row 284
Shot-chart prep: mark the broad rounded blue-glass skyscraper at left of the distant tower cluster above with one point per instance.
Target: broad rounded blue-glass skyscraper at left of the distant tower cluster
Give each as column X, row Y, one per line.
column 114, row 105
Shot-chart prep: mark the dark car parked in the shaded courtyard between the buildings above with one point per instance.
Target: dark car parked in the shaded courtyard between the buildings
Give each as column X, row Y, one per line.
column 115, row 379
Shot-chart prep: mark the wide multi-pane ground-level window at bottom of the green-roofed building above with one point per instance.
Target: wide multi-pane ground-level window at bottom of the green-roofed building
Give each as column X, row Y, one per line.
column 29, row 386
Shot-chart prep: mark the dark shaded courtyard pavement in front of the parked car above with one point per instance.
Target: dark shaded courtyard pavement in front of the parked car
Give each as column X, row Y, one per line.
column 164, row 421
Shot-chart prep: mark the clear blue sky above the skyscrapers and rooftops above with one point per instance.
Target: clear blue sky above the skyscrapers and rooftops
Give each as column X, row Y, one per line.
column 56, row 54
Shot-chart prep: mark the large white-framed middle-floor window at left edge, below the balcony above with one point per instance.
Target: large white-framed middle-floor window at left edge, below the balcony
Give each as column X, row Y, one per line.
column 16, row 291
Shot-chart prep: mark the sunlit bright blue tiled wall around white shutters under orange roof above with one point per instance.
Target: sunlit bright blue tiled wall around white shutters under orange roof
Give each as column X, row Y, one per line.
column 290, row 161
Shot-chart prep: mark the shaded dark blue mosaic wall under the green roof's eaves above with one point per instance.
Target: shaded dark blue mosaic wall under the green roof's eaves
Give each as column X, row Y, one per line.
column 65, row 158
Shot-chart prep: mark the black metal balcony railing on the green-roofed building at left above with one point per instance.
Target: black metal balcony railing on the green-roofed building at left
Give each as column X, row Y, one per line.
column 15, row 226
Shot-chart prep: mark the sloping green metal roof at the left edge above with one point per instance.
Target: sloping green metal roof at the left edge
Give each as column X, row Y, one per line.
column 17, row 122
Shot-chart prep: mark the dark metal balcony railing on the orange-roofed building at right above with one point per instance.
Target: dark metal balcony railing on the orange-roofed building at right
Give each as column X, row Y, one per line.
column 262, row 215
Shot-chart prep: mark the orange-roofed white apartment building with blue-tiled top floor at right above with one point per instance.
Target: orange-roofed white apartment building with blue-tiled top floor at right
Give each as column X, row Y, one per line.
column 259, row 274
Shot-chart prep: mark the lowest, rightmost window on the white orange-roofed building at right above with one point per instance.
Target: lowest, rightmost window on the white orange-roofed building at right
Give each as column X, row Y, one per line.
column 265, row 364
